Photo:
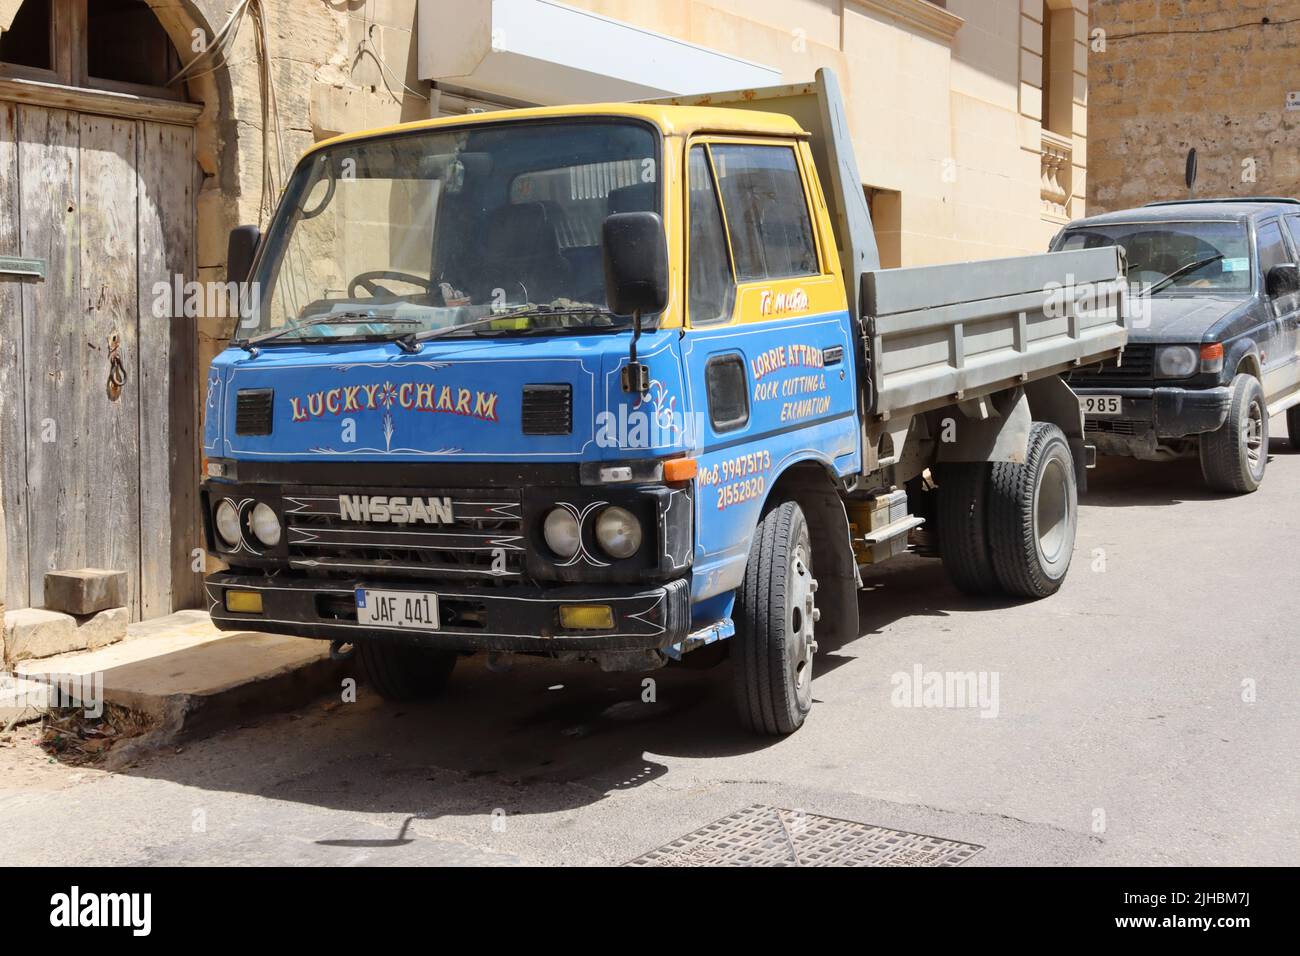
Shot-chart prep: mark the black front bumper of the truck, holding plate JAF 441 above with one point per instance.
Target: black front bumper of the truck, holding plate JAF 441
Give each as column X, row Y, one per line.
column 506, row 618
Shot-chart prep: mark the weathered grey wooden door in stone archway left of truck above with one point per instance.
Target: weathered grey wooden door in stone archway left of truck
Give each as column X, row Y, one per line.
column 97, row 374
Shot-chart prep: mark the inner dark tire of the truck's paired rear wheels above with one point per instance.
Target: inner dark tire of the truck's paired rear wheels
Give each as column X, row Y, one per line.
column 963, row 527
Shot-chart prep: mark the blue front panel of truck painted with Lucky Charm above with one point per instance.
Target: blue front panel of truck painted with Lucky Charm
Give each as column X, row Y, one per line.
column 460, row 400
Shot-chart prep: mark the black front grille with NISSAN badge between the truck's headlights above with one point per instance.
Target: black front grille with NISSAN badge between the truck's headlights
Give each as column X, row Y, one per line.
column 483, row 540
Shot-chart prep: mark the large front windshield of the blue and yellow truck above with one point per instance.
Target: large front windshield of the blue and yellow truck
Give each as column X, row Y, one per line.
column 496, row 228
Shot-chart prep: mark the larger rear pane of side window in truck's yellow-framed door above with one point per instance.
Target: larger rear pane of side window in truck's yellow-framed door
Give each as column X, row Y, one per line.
column 768, row 215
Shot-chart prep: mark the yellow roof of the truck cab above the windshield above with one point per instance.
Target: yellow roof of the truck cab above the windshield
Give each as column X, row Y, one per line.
column 670, row 120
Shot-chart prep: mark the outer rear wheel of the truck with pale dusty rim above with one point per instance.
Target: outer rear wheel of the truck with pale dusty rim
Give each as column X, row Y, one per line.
column 1034, row 514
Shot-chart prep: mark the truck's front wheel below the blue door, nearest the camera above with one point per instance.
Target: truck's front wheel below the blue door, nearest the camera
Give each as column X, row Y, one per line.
column 773, row 650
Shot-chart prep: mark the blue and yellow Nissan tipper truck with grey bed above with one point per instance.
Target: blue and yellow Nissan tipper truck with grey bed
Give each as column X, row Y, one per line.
column 626, row 383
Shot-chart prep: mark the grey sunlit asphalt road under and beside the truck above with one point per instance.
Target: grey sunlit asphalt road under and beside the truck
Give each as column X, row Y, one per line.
column 1149, row 713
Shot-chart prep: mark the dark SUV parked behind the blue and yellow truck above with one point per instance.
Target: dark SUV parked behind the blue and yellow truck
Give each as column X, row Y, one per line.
column 1215, row 338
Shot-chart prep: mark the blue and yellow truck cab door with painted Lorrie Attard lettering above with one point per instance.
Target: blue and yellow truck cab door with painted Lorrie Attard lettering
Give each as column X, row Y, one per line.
column 769, row 353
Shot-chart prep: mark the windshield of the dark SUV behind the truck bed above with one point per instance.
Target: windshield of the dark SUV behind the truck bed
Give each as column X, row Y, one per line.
column 1176, row 257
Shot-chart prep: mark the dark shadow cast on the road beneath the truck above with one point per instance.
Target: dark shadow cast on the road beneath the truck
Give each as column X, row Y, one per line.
column 539, row 739
